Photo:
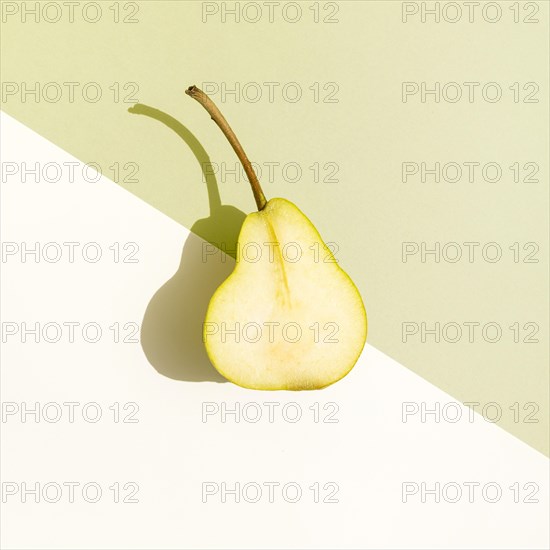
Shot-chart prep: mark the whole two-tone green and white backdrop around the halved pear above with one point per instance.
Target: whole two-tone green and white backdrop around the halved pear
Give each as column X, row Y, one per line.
column 347, row 108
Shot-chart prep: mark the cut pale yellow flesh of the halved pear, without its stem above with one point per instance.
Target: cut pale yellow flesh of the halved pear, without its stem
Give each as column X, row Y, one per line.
column 288, row 318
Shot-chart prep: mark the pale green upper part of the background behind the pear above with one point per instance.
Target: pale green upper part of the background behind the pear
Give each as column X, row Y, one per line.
column 369, row 133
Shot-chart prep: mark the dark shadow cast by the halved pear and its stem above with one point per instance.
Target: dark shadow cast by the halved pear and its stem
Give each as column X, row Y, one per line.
column 171, row 330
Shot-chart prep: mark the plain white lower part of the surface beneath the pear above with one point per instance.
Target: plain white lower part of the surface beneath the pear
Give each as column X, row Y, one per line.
column 170, row 451
